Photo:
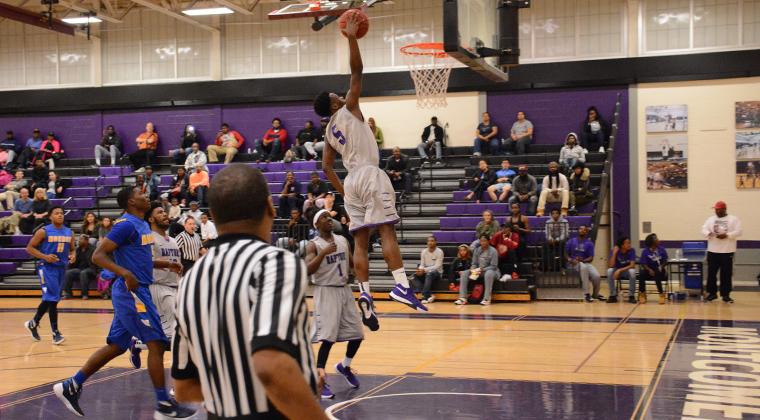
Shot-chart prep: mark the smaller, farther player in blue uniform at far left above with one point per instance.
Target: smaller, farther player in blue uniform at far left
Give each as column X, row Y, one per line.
column 53, row 245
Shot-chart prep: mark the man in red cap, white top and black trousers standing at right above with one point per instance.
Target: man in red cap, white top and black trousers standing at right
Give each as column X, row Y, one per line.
column 721, row 231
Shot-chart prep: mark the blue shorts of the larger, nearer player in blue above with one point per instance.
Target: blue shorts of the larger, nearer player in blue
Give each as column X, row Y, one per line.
column 134, row 315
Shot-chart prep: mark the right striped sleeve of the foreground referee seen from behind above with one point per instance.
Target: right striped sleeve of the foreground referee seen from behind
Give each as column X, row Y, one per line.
column 279, row 288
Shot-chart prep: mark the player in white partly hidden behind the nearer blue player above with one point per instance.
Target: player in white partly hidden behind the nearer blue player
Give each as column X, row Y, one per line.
column 167, row 268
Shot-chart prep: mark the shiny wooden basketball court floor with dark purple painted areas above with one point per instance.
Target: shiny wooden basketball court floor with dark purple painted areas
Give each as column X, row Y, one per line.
column 526, row 360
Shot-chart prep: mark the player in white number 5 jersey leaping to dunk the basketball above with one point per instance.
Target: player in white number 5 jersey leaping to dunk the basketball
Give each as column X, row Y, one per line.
column 368, row 194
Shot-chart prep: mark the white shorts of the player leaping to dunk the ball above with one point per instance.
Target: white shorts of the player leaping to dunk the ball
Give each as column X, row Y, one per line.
column 370, row 200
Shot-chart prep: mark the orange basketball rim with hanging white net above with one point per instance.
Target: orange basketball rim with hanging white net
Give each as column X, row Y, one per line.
column 430, row 67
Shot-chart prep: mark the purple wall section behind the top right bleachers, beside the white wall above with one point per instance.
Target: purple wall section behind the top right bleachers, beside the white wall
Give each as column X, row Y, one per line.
column 556, row 112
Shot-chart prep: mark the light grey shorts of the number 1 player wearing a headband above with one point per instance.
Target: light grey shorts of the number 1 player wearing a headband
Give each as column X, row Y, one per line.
column 336, row 316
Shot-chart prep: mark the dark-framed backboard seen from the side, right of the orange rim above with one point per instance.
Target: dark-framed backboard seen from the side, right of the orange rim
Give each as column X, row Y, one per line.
column 483, row 34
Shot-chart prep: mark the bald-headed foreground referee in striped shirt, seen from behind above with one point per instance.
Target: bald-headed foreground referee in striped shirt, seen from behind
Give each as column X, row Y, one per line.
column 242, row 344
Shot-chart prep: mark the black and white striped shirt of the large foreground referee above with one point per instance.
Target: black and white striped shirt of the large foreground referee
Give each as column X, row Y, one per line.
column 244, row 295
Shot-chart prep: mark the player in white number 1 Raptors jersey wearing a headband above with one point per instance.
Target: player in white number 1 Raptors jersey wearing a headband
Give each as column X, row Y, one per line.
column 336, row 319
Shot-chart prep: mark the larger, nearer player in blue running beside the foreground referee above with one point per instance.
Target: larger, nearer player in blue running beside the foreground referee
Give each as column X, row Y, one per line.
column 127, row 252
